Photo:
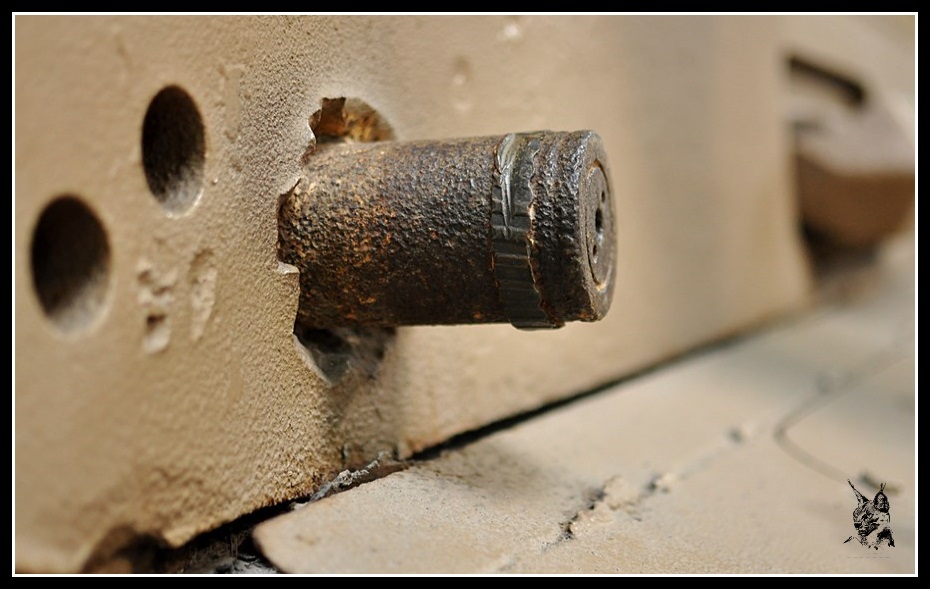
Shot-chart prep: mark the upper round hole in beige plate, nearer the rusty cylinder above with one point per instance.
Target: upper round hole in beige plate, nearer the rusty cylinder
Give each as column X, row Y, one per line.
column 173, row 148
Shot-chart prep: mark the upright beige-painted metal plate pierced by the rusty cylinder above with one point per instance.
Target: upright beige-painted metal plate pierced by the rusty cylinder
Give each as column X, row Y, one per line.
column 170, row 396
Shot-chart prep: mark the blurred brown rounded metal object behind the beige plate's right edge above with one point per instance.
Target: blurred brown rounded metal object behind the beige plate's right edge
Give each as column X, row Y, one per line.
column 855, row 160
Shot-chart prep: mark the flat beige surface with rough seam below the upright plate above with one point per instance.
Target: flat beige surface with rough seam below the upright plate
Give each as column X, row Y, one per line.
column 734, row 459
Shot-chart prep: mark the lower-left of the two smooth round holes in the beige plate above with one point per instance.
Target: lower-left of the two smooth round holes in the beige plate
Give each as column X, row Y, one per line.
column 70, row 263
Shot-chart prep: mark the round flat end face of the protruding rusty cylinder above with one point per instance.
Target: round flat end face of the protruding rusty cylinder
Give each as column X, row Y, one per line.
column 598, row 227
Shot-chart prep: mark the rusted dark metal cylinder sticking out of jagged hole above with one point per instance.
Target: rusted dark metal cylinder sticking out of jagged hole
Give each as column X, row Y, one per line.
column 516, row 228
